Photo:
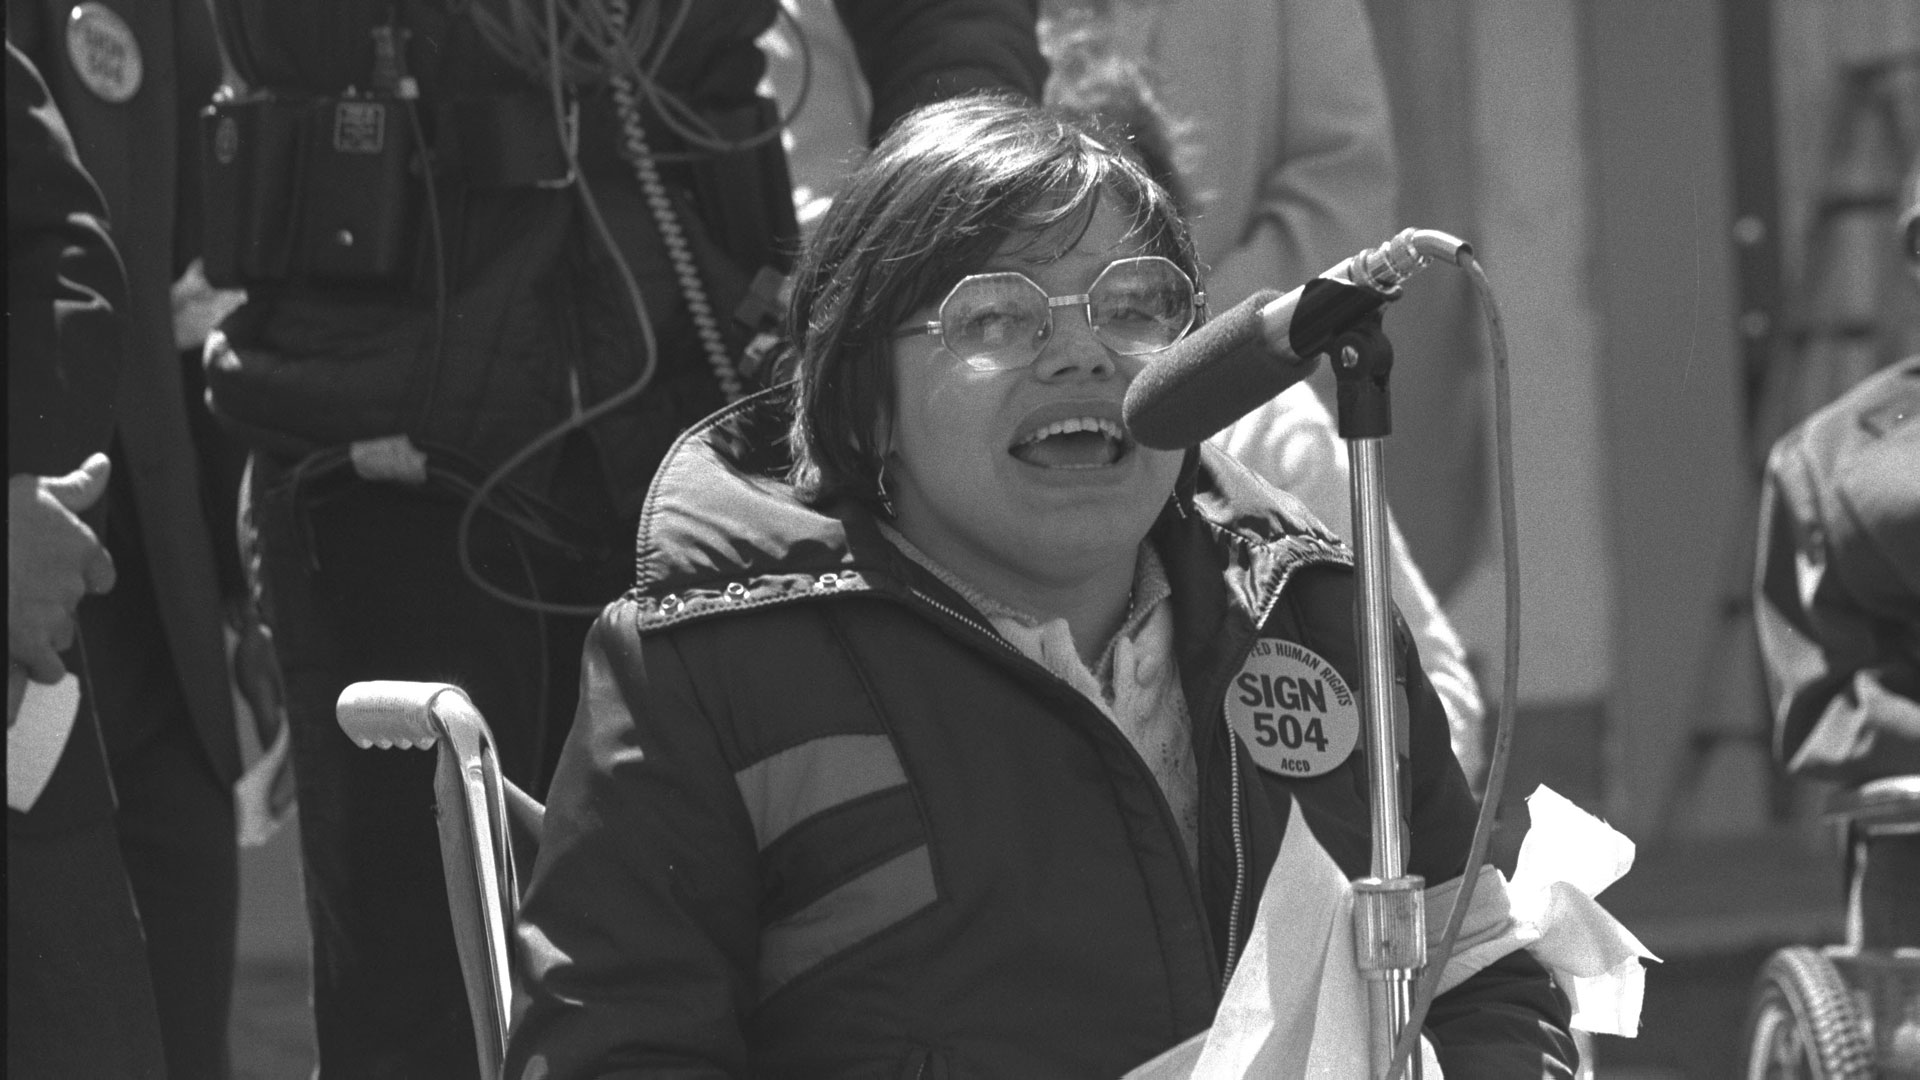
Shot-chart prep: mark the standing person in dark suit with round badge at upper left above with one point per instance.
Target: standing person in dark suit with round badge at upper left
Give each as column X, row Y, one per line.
column 130, row 78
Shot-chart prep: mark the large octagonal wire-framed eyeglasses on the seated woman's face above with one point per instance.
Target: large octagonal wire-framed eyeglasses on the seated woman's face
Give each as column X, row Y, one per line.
column 999, row 322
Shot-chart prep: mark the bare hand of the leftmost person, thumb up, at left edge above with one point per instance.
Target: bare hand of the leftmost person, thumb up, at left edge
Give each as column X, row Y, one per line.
column 53, row 560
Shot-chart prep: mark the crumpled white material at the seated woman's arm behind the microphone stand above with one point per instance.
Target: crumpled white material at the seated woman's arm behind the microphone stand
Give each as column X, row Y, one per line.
column 1297, row 1006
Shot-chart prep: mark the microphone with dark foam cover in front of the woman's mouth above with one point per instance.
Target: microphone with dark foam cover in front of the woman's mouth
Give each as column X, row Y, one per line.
column 1264, row 345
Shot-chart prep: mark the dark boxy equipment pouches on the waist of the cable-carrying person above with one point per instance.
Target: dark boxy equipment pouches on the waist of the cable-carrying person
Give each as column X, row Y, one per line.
column 308, row 189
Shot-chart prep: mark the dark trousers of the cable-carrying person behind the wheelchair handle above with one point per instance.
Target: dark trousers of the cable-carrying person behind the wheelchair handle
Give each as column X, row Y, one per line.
column 364, row 581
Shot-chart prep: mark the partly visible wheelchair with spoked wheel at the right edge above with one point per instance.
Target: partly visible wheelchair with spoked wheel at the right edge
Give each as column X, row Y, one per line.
column 1844, row 1012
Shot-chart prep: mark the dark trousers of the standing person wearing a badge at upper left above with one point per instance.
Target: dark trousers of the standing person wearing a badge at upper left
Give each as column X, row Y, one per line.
column 176, row 816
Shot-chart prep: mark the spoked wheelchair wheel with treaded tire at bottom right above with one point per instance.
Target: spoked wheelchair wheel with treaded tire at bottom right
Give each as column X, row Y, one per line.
column 1804, row 1025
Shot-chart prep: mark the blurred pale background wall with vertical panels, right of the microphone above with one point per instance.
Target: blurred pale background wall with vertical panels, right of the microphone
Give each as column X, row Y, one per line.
column 1643, row 182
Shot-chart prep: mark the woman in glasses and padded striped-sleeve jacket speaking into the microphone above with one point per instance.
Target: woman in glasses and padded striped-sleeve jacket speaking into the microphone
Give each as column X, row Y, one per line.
column 948, row 731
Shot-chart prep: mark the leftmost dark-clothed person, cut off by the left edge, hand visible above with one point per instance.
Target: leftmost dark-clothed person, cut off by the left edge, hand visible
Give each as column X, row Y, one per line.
column 80, row 998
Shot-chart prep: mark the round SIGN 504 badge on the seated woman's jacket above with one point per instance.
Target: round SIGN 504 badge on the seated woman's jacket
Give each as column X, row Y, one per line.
column 1293, row 710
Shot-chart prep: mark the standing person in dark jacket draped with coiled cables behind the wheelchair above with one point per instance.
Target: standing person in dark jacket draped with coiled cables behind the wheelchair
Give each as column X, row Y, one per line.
column 450, row 447
